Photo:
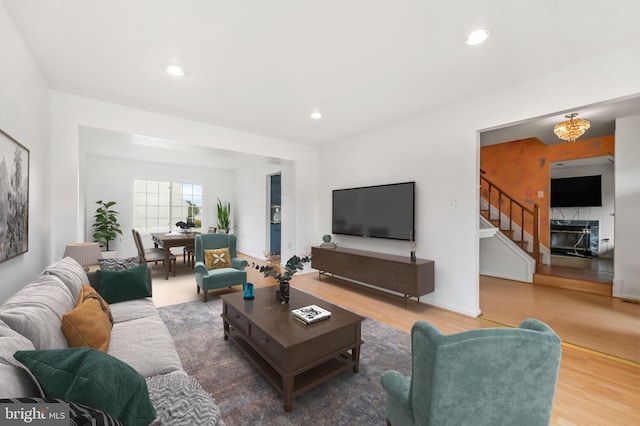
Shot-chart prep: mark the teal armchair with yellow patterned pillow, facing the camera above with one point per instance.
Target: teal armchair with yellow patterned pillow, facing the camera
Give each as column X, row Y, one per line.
column 223, row 277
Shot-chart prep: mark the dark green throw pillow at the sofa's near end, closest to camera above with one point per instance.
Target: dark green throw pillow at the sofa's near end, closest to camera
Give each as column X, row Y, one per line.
column 90, row 377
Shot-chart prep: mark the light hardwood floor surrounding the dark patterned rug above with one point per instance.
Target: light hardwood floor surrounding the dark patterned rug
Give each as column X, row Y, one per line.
column 594, row 386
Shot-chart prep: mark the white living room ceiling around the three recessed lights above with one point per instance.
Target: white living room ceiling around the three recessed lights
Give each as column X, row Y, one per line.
column 264, row 66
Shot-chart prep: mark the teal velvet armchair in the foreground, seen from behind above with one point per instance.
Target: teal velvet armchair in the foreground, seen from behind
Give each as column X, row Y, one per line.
column 491, row 376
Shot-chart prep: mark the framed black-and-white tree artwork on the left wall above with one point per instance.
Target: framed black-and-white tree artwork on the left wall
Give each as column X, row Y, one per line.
column 14, row 198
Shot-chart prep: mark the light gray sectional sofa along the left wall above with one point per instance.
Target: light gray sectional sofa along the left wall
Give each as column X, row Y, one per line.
column 31, row 320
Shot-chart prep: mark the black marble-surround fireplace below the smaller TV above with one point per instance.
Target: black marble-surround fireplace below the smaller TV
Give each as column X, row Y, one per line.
column 575, row 237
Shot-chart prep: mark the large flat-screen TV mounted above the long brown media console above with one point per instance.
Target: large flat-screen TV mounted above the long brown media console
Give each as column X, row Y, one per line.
column 382, row 211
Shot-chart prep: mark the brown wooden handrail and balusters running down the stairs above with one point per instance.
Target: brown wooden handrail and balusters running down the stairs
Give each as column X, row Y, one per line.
column 515, row 212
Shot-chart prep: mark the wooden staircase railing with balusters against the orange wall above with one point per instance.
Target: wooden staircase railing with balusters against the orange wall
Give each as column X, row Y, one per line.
column 514, row 220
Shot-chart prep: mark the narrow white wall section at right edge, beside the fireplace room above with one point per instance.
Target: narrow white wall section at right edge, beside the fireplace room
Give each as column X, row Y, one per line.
column 626, row 263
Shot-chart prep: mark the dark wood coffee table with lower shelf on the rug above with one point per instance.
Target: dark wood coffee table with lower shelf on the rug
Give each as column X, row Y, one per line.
column 294, row 357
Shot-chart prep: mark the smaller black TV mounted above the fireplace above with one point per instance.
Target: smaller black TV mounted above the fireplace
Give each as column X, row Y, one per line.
column 583, row 191
